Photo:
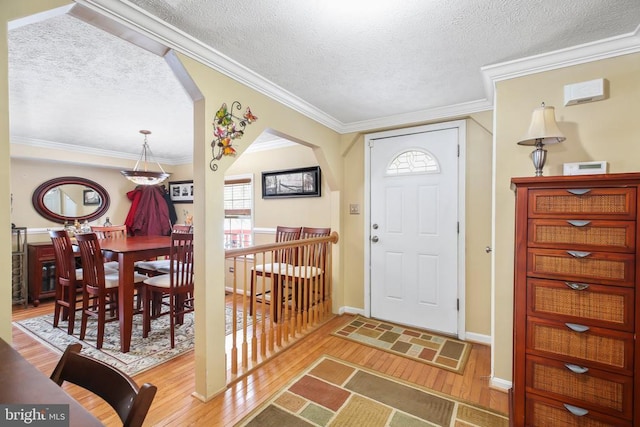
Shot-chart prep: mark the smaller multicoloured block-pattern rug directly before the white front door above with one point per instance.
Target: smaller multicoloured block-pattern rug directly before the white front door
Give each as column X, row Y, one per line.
column 443, row 352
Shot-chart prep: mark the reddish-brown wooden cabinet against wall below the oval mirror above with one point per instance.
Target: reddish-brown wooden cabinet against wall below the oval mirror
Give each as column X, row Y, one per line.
column 42, row 271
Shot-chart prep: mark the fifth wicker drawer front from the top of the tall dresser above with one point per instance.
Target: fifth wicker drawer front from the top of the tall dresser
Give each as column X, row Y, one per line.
column 608, row 348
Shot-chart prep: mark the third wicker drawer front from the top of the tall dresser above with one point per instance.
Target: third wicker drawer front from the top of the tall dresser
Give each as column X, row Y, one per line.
column 599, row 267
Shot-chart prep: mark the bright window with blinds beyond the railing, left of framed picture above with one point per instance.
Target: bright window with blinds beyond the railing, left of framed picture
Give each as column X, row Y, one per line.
column 238, row 215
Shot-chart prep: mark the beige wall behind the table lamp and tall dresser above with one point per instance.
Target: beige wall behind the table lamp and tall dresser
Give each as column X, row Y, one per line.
column 604, row 130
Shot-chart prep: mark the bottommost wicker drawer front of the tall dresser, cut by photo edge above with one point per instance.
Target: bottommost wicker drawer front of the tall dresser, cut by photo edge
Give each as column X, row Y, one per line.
column 543, row 412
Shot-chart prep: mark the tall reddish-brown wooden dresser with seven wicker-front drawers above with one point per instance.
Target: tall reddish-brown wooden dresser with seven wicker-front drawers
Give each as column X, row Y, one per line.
column 576, row 361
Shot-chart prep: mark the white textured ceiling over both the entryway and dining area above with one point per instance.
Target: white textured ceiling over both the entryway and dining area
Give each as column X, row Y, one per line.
column 354, row 62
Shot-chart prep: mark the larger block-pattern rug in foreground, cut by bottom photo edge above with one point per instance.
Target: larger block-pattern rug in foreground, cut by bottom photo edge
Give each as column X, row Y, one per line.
column 333, row 392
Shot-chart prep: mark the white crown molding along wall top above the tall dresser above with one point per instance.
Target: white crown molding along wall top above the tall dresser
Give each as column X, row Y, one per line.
column 601, row 49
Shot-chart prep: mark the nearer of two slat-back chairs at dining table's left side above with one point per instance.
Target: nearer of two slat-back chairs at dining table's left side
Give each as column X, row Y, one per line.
column 100, row 290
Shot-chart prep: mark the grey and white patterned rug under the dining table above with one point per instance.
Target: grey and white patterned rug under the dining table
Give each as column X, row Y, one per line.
column 145, row 352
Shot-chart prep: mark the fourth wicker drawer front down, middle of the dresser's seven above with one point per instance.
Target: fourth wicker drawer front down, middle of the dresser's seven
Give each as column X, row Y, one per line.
column 598, row 305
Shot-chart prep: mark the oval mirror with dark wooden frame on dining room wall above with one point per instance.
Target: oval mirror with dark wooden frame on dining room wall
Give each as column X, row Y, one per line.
column 70, row 198
